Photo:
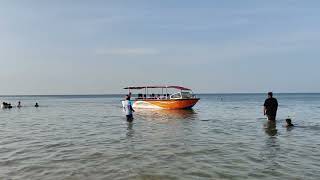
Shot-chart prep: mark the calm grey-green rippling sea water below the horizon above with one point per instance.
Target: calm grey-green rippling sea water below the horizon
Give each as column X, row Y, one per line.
column 223, row 137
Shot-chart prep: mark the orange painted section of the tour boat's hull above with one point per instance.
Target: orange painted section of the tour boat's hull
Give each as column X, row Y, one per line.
column 174, row 104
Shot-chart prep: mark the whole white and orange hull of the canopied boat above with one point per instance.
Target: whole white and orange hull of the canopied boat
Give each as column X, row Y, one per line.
column 165, row 104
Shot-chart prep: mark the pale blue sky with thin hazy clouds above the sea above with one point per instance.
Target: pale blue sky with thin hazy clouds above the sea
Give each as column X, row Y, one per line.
column 211, row 46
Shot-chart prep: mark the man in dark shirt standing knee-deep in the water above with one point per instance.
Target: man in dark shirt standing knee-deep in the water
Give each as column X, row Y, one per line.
column 271, row 107
